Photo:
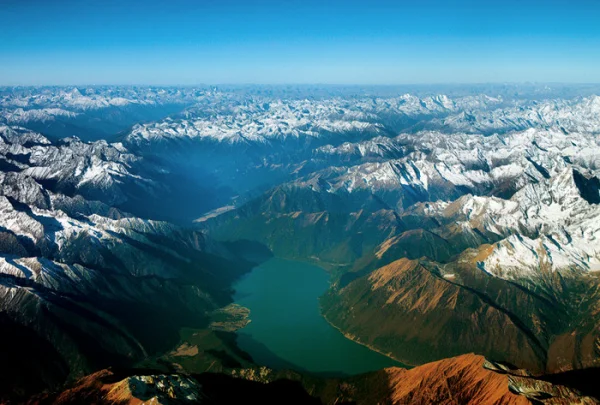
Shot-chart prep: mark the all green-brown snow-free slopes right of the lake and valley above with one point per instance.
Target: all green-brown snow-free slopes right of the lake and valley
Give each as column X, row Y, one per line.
column 437, row 301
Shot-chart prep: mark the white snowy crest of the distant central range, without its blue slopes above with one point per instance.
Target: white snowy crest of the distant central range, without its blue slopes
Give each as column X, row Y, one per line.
column 263, row 121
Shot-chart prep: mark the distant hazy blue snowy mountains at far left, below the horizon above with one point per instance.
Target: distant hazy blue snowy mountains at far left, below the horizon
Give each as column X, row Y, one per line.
column 90, row 113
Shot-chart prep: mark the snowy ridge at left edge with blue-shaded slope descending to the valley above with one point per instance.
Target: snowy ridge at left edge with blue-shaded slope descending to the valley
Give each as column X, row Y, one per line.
column 106, row 172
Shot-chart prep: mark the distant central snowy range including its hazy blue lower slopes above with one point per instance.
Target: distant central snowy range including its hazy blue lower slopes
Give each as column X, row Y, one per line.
column 271, row 140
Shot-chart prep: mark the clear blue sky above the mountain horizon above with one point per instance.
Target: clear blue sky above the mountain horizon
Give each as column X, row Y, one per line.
column 328, row 42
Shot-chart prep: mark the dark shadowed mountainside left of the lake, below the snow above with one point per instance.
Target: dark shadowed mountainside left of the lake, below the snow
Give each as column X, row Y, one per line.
column 92, row 317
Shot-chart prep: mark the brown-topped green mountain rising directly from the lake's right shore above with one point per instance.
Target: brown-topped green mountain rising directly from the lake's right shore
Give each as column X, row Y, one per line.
column 416, row 314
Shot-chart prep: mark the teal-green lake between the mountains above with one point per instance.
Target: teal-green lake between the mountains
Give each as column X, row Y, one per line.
column 287, row 329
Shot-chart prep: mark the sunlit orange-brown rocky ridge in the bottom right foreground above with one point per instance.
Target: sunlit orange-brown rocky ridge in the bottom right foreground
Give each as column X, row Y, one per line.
column 466, row 379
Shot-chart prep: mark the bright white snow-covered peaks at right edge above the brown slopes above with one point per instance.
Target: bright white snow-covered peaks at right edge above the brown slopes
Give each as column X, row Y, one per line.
column 548, row 225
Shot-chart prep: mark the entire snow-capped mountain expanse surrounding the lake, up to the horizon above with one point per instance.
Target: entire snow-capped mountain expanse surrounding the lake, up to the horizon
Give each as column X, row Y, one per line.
column 445, row 218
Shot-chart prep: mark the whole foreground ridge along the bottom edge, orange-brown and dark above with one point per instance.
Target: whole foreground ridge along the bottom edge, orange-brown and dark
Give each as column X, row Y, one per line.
column 467, row 379
